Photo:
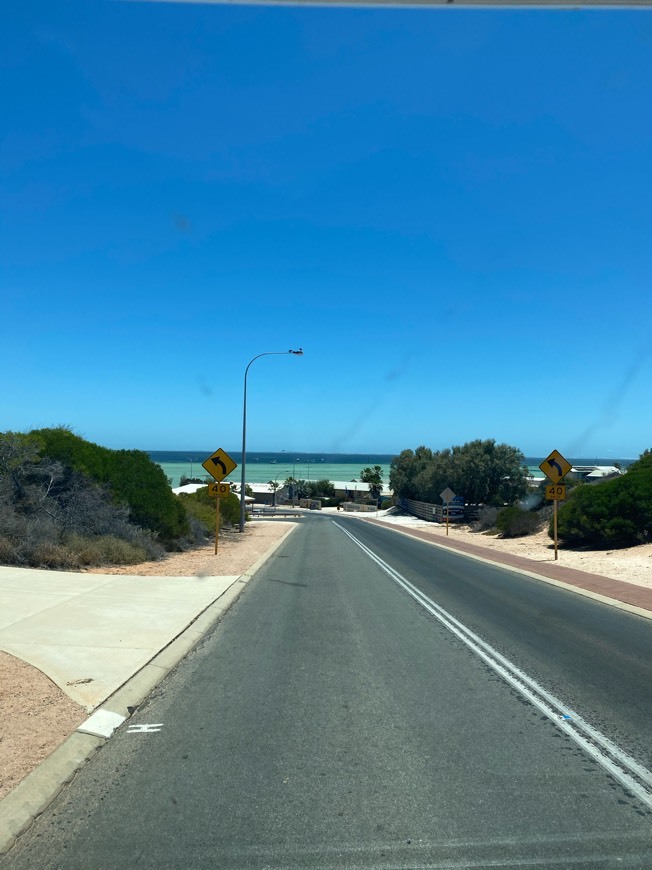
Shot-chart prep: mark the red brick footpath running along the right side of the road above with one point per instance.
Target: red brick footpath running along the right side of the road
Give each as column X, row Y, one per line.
column 628, row 593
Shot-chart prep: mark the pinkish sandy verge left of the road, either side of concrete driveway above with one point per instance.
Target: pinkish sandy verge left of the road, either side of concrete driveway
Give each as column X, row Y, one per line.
column 36, row 716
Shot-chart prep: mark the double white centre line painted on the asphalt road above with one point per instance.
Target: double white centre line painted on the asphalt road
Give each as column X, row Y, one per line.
column 611, row 757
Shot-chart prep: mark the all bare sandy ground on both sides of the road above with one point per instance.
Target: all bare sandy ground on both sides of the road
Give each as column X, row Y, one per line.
column 36, row 716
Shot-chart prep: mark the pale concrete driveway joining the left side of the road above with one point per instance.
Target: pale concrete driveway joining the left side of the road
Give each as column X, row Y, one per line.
column 91, row 632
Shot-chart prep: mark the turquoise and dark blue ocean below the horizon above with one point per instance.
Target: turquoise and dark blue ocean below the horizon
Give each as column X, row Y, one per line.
column 265, row 466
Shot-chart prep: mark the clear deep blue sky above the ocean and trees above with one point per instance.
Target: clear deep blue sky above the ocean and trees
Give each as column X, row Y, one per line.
column 448, row 209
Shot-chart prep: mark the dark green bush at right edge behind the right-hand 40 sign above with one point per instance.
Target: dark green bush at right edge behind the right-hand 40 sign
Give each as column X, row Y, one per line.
column 617, row 513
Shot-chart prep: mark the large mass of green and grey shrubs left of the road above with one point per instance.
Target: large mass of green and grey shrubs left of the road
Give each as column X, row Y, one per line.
column 68, row 503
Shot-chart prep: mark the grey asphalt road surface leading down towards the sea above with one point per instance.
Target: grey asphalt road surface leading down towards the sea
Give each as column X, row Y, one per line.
column 332, row 721
